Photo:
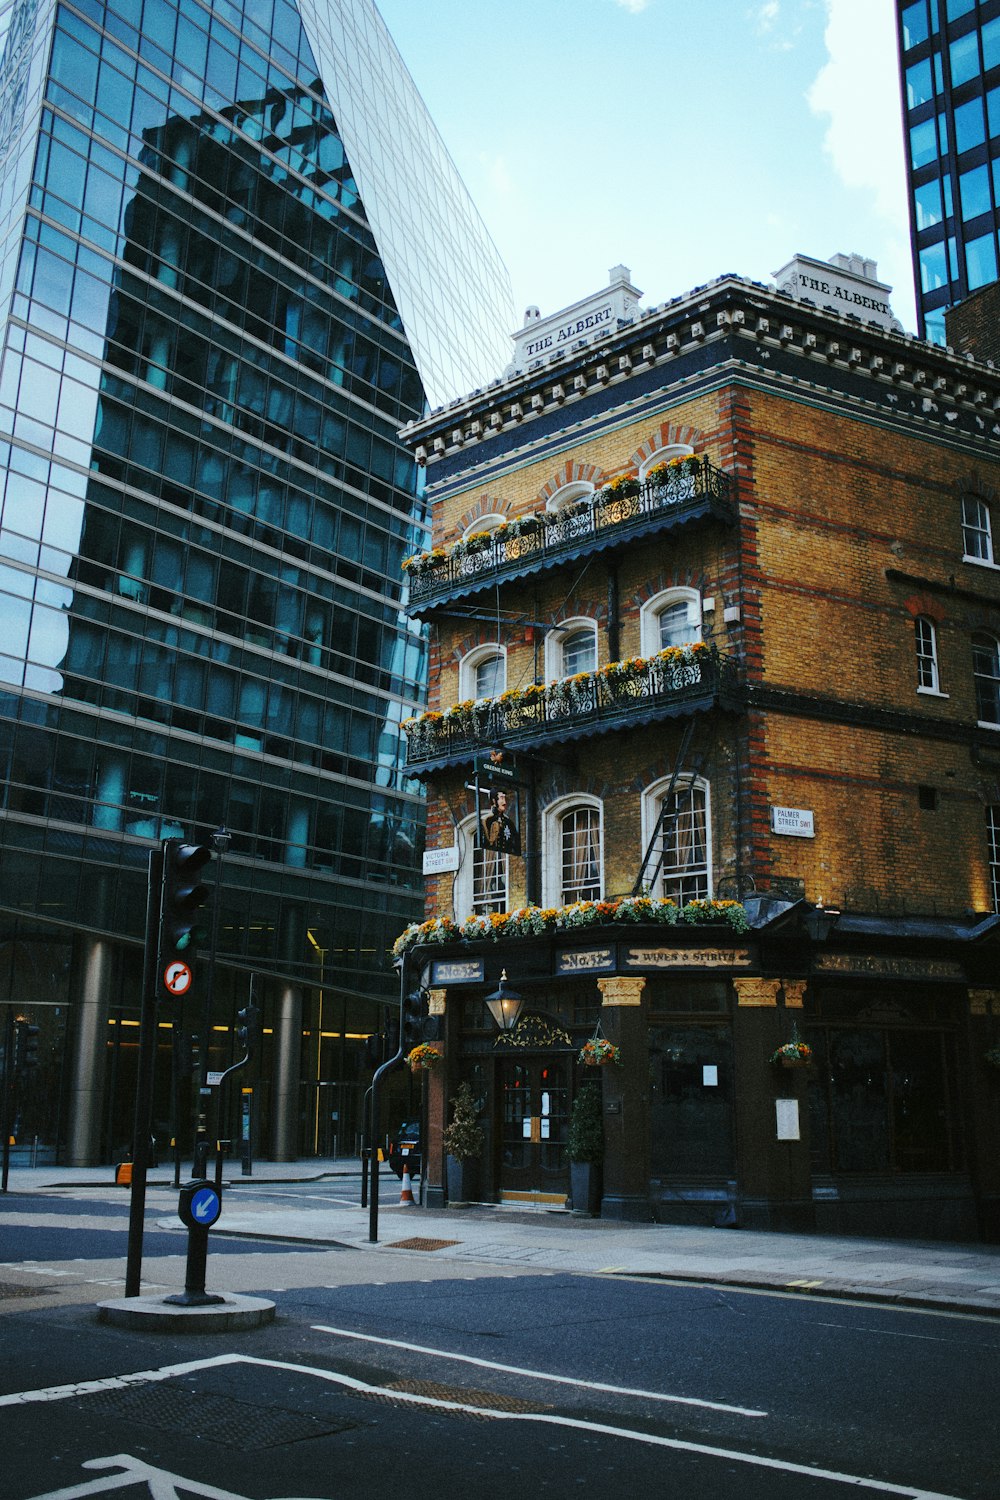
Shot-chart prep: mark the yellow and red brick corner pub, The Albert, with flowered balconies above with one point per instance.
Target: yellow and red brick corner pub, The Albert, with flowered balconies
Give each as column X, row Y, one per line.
column 713, row 601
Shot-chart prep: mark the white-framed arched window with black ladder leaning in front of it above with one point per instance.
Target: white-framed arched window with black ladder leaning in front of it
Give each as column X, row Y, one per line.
column 681, row 821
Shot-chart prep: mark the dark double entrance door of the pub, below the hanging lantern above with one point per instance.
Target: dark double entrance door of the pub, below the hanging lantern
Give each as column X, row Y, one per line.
column 536, row 1117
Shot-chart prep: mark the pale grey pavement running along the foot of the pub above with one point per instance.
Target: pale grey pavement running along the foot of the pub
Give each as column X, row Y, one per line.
column 926, row 1274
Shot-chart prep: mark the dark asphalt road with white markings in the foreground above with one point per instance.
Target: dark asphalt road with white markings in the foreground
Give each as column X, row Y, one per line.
column 389, row 1370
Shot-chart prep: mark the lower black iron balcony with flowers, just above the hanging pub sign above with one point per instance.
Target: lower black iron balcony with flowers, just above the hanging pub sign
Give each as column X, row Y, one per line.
column 623, row 695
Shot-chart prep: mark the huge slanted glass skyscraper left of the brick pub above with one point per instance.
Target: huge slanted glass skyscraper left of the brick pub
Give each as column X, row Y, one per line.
column 235, row 262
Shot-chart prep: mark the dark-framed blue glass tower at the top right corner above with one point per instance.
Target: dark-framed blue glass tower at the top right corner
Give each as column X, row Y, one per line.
column 950, row 68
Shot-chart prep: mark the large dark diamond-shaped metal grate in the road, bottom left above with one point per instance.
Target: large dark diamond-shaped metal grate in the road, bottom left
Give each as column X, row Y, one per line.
column 220, row 1418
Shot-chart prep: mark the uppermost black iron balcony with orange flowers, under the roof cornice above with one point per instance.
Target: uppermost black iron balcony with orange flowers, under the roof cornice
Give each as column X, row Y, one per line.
column 617, row 517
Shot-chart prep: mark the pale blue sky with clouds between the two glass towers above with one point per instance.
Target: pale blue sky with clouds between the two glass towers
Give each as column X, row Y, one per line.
column 683, row 139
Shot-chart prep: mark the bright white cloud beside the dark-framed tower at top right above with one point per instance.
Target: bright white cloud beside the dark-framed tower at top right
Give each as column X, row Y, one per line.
column 858, row 92
